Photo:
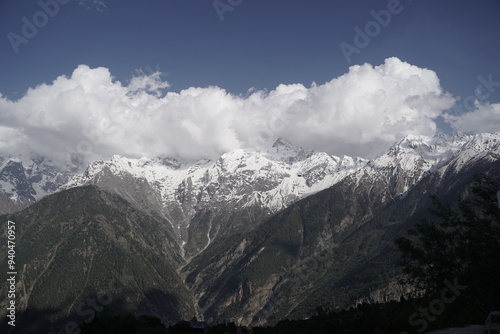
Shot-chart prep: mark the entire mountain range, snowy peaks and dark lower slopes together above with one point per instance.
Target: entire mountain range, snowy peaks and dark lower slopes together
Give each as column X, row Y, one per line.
column 252, row 237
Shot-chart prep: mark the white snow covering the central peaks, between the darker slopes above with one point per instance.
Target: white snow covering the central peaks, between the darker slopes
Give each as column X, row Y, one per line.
column 273, row 178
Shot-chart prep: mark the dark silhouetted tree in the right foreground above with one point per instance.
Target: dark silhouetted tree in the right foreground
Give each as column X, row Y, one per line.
column 461, row 243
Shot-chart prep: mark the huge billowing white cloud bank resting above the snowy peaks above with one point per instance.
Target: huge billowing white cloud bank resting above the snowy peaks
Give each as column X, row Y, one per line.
column 89, row 115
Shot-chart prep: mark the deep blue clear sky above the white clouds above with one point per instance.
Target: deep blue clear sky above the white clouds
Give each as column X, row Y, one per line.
column 259, row 44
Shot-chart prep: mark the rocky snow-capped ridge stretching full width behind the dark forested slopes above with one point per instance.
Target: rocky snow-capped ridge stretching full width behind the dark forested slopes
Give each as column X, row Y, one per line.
column 211, row 195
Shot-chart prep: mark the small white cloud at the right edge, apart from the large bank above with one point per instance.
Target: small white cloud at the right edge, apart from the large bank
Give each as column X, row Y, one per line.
column 485, row 118
